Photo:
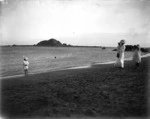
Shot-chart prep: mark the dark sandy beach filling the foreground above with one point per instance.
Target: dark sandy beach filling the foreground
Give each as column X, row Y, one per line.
column 99, row 91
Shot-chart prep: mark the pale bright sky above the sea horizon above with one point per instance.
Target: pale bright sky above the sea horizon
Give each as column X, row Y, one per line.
column 75, row 22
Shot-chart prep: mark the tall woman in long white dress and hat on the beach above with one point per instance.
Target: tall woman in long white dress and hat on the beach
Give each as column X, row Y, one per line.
column 120, row 54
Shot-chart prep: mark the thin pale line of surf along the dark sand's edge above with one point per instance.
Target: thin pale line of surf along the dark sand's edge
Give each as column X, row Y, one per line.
column 68, row 68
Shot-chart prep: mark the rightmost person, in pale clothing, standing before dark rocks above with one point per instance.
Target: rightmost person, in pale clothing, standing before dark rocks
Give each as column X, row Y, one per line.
column 137, row 56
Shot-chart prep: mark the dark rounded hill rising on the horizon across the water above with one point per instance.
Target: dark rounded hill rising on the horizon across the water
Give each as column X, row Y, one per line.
column 52, row 42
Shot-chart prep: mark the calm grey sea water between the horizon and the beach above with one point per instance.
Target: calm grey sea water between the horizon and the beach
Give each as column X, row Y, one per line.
column 43, row 59
